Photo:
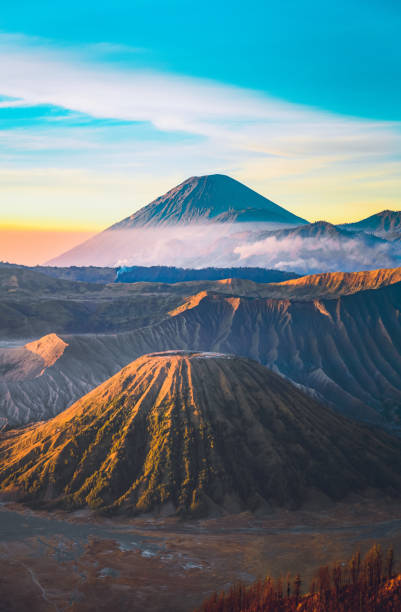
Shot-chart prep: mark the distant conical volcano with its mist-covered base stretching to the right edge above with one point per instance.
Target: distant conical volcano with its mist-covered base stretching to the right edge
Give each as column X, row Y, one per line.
column 216, row 221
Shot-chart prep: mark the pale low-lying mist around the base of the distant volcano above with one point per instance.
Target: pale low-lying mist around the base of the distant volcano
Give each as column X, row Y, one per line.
column 237, row 244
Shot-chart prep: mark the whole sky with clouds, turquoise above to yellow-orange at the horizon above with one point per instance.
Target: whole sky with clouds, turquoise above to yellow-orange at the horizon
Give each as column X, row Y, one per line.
column 106, row 105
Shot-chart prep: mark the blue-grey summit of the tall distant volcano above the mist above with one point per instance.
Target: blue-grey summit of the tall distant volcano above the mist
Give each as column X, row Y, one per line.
column 213, row 197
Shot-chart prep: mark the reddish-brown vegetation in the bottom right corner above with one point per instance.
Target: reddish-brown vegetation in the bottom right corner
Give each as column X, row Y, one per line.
column 367, row 585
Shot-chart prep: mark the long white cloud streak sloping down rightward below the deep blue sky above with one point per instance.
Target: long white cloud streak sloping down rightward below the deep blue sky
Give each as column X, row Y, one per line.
column 36, row 74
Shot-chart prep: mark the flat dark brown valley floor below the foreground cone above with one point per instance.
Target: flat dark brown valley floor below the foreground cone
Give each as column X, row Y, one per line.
column 80, row 562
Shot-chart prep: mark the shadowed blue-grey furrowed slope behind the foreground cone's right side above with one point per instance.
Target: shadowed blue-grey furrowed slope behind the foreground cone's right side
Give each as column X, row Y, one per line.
column 347, row 350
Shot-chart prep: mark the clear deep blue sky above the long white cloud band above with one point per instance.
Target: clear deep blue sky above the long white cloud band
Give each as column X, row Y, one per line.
column 342, row 56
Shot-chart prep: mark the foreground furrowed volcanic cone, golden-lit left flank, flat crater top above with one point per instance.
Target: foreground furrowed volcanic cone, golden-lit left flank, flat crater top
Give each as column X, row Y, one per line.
column 196, row 434
